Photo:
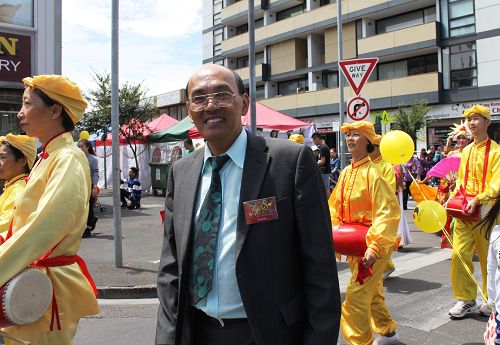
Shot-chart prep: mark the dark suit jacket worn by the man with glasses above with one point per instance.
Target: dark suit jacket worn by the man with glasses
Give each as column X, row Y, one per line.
column 286, row 269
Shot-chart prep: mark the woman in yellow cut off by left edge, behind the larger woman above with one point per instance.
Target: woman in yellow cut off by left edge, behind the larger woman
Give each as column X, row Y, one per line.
column 17, row 155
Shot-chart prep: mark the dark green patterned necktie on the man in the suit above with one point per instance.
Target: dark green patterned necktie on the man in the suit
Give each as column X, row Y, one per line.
column 205, row 234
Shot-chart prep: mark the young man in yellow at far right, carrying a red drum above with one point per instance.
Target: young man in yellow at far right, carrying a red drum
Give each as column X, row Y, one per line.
column 479, row 161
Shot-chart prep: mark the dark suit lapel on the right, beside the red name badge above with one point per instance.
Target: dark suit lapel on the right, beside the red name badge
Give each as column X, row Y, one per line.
column 254, row 171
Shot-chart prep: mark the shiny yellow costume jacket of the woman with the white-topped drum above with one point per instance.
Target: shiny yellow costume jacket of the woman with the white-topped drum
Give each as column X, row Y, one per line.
column 53, row 213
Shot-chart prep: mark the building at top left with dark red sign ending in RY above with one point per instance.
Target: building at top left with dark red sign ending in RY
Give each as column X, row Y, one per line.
column 30, row 44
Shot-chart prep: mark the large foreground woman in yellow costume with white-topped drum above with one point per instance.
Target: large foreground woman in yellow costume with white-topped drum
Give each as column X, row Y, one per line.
column 47, row 224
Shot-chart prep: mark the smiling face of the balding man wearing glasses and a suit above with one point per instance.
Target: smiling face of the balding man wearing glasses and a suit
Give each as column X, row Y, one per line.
column 215, row 123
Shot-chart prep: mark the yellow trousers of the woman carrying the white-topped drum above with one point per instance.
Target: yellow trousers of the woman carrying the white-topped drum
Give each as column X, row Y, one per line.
column 62, row 337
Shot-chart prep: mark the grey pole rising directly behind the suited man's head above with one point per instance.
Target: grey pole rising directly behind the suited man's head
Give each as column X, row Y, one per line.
column 251, row 63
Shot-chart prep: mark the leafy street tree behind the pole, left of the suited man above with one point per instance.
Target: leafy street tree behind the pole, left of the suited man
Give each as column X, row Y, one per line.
column 135, row 109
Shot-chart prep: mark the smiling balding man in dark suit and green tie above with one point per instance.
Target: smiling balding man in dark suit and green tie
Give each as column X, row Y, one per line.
column 248, row 254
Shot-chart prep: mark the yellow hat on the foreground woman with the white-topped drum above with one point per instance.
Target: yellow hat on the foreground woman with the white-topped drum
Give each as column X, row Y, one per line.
column 62, row 90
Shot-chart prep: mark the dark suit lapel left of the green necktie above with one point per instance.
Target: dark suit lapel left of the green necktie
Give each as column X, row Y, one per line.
column 189, row 187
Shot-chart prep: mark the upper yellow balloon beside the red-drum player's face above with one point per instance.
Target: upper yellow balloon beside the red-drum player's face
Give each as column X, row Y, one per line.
column 396, row 147
